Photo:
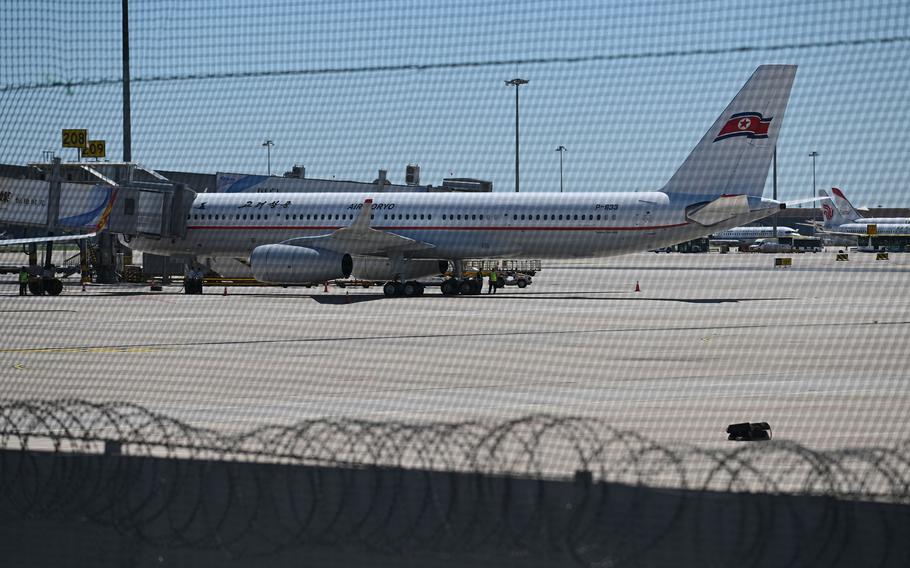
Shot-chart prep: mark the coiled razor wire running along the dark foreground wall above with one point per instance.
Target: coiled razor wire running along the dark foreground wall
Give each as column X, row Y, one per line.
column 540, row 483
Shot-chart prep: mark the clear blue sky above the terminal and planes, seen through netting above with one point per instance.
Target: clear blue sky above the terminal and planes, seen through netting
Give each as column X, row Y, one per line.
column 347, row 88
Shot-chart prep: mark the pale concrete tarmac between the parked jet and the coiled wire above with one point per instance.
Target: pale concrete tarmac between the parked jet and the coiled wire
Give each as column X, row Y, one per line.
column 820, row 350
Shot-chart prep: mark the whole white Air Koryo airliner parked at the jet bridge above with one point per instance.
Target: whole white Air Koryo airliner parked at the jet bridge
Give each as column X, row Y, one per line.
column 301, row 238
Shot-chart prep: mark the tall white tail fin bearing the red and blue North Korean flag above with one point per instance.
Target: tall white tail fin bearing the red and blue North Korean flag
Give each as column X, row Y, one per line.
column 734, row 156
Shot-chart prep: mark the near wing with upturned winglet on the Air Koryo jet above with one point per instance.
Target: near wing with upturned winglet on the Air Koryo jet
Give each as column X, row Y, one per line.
column 359, row 238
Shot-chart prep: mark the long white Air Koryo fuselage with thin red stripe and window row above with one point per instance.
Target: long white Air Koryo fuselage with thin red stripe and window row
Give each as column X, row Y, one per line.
column 458, row 225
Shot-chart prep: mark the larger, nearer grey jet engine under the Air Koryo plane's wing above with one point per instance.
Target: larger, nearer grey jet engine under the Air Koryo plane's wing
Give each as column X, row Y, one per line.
column 287, row 264
